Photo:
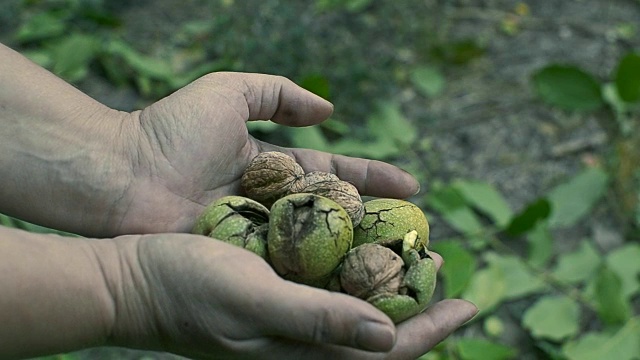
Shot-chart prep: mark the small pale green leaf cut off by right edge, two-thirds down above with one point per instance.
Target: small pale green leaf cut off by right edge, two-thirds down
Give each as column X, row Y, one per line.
column 624, row 262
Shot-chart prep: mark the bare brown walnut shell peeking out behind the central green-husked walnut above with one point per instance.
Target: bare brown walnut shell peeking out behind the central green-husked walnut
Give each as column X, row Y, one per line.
column 330, row 186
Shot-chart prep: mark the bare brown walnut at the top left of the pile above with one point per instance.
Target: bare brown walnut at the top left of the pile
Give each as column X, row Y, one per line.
column 270, row 176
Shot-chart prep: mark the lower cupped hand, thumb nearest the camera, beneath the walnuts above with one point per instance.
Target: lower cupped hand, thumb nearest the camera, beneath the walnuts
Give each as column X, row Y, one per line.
column 203, row 298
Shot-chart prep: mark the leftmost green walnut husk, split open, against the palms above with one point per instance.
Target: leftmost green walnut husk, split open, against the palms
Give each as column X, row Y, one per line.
column 236, row 220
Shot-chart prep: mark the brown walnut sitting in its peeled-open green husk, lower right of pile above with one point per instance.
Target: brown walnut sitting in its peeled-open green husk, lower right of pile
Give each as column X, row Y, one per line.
column 400, row 285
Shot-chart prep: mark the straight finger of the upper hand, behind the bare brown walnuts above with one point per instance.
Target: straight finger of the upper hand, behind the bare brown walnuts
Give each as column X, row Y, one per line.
column 370, row 177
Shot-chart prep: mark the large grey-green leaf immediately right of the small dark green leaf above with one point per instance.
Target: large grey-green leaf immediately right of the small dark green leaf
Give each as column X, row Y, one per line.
column 574, row 199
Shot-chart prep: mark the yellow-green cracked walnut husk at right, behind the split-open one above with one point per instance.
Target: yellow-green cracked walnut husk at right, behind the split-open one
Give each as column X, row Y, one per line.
column 389, row 220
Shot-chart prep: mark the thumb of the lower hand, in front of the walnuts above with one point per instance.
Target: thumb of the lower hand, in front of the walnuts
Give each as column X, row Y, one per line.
column 318, row 316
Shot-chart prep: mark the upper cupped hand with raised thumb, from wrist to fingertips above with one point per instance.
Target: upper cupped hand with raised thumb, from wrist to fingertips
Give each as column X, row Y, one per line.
column 191, row 148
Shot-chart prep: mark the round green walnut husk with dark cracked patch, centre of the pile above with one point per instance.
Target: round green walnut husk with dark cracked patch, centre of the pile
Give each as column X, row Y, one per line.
column 308, row 238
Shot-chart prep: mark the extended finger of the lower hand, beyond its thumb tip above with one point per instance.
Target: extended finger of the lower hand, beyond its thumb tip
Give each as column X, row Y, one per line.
column 421, row 333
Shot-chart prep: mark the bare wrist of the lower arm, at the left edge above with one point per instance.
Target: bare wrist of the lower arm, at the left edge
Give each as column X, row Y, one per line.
column 54, row 298
